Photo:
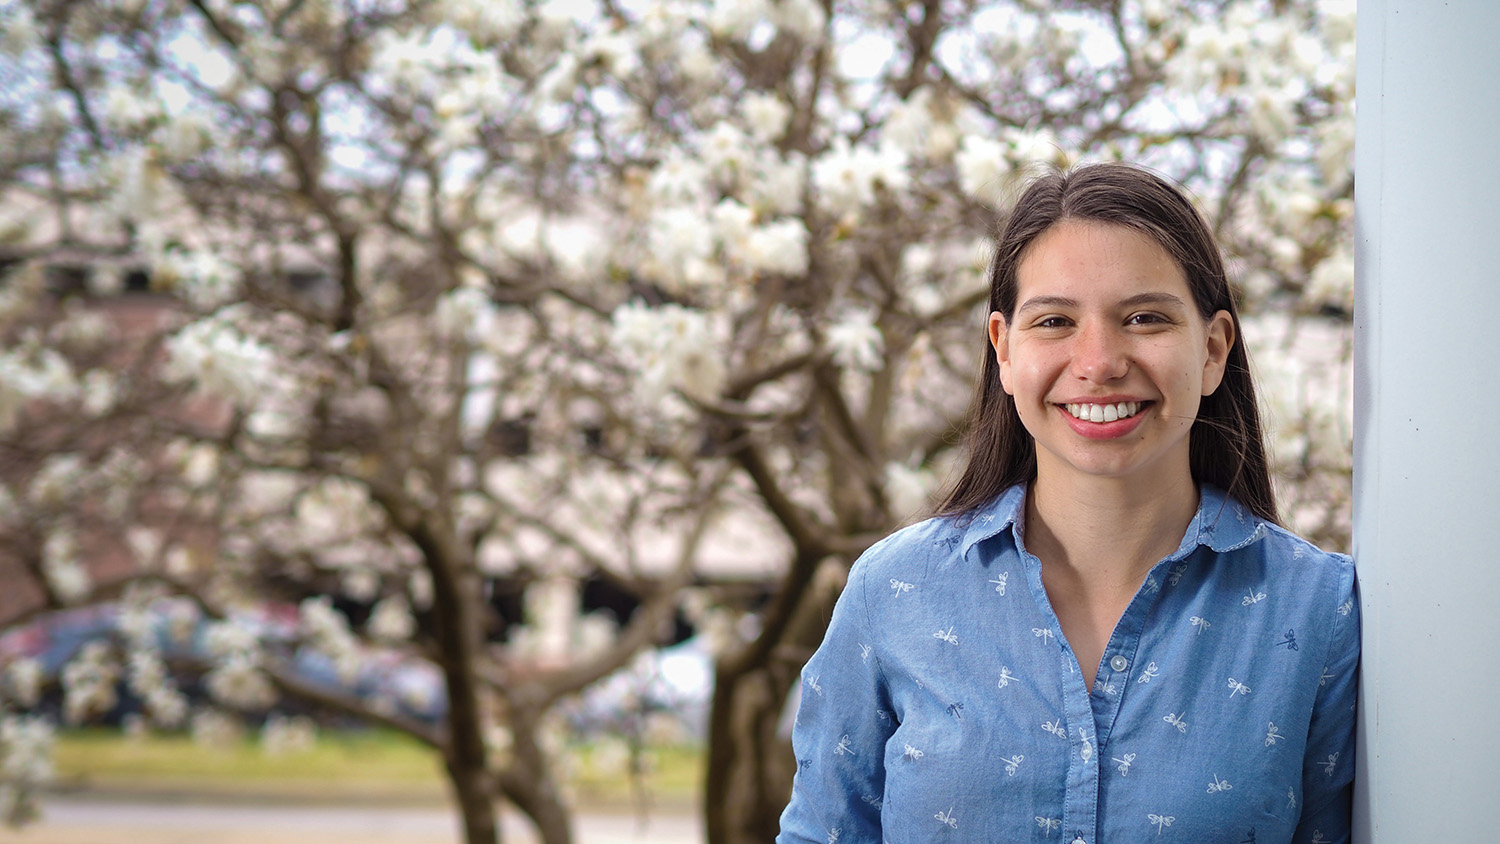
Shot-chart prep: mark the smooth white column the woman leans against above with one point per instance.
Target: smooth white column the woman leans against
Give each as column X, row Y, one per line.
column 1427, row 421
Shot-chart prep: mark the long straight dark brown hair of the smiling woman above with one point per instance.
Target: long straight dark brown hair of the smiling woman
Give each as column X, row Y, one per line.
column 1226, row 444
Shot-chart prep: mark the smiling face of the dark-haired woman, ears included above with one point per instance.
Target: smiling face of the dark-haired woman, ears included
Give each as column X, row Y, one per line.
column 1108, row 356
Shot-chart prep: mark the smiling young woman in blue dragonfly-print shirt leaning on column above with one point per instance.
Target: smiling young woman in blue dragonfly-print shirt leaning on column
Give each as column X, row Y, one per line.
column 1105, row 636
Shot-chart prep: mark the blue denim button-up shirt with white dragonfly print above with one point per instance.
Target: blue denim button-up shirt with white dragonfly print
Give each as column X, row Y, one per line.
column 947, row 707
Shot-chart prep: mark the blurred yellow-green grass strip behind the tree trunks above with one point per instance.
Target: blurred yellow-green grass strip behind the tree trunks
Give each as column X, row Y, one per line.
column 344, row 767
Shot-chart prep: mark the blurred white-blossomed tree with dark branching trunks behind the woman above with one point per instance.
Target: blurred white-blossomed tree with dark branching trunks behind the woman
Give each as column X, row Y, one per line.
column 464, row 287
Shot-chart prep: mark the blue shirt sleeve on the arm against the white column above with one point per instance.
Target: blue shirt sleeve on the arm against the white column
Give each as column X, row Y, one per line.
column 1328, row 771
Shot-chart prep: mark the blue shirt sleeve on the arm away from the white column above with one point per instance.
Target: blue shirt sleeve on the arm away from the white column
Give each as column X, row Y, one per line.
column 842, row 726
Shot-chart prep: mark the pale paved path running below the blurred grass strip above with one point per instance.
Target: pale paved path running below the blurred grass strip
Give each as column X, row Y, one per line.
column 73, row 821
